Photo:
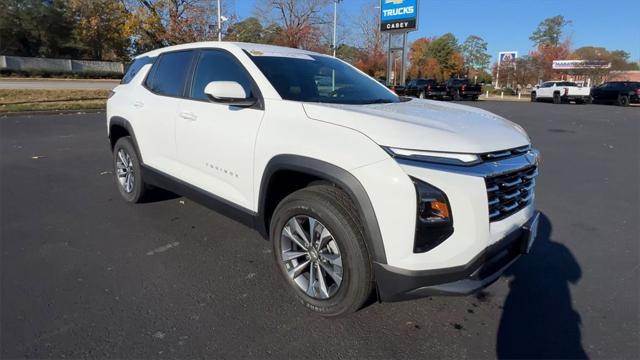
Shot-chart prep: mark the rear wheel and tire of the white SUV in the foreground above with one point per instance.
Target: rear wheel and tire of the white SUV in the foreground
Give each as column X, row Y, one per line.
column 127, row 171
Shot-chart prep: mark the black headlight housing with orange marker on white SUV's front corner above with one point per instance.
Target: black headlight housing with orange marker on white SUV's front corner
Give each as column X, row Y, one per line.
column 434, row 222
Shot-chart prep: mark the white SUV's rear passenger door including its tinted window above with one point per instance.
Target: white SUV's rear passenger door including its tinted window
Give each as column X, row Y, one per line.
column 156, row 108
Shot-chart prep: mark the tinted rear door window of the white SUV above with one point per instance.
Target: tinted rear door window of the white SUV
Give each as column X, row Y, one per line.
column 169, row 73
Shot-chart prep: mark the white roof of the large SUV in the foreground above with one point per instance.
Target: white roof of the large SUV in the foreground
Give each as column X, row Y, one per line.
column 250, row 47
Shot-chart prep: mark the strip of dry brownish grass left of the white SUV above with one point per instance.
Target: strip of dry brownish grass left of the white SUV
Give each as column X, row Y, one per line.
column 30, row 100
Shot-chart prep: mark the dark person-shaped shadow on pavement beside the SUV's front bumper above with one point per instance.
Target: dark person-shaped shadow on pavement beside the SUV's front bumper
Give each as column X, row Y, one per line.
column 538, row 320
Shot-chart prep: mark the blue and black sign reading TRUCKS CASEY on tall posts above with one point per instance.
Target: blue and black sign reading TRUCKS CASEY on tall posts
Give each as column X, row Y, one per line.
column 399, row 15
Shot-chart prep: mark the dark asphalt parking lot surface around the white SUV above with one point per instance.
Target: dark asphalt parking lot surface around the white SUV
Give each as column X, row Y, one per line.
column 85, row 275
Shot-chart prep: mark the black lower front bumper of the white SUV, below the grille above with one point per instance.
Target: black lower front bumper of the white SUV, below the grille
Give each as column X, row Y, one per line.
column 395, row 284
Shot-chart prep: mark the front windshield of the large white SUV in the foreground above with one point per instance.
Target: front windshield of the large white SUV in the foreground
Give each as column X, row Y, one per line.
column 316, row 78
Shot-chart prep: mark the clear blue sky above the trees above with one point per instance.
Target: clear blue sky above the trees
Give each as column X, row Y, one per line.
column 507, row 24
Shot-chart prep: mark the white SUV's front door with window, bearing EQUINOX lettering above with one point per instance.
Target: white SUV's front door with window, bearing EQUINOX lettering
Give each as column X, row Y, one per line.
column 216, row 141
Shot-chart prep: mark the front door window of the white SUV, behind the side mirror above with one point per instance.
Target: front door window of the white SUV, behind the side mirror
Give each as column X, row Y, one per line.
column 219, row 66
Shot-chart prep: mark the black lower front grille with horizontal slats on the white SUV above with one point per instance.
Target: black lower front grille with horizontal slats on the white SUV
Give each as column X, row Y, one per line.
column 510, row 192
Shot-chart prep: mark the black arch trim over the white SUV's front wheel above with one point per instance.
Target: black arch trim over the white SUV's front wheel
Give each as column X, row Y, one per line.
column 343, row 179
